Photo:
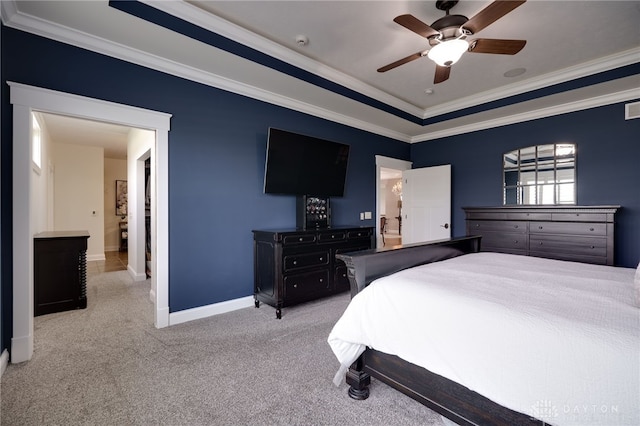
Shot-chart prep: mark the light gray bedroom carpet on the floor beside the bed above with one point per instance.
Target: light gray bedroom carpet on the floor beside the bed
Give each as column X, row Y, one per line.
column 108, row 365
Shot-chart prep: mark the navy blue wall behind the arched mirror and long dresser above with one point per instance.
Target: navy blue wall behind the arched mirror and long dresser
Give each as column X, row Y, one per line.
column 608, row 165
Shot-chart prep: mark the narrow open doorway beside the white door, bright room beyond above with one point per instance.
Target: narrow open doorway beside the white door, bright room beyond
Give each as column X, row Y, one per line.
column 389, row 200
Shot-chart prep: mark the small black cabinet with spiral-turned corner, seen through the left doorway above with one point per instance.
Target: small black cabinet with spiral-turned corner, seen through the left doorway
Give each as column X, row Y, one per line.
column 60, row 271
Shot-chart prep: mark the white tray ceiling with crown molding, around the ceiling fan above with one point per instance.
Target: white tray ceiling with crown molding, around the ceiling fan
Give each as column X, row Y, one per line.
column 349, row 40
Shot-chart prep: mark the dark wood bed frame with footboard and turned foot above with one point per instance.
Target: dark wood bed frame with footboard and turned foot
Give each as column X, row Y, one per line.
column 448, row 398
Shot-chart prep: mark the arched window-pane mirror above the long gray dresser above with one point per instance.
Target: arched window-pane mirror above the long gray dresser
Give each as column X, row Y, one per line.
column 541, row 174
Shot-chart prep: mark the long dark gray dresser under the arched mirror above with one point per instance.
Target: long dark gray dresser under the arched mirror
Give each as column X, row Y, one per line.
column 577, row 233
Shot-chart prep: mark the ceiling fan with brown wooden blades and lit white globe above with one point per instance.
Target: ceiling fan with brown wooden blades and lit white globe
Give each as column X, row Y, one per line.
column 448, row 36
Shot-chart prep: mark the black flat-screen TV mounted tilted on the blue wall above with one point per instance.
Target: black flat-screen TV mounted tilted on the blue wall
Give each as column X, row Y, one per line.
column 304, row 165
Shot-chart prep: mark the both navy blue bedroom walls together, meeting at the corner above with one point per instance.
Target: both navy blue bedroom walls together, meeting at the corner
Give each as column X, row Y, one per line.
column 217, row 147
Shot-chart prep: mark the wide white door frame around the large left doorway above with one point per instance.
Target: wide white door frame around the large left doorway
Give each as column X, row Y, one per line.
column 26, row 99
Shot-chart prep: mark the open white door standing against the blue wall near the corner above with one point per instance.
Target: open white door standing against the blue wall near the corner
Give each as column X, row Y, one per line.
column 426, row 204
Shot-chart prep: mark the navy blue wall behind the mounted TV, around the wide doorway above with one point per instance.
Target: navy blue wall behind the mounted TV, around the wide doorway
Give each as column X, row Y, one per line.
column 217, row 147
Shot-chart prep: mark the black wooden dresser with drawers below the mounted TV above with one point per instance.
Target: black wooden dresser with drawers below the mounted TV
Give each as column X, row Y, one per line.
column 296, row 265
